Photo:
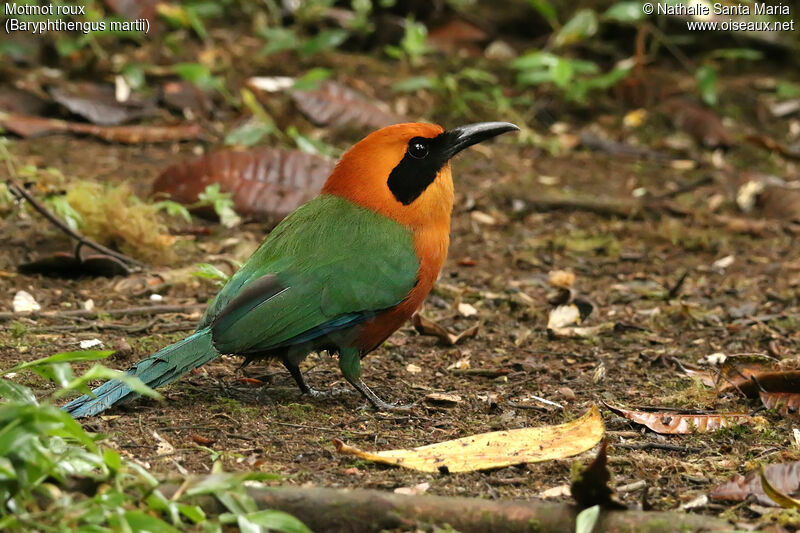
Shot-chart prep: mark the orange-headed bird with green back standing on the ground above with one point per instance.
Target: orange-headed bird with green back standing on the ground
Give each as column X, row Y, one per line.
column 339, row 274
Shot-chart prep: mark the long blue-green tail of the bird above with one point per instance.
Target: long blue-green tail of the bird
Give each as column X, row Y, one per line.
column 159, row 369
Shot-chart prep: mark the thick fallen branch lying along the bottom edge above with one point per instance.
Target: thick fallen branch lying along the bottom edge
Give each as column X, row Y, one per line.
column 363, row 511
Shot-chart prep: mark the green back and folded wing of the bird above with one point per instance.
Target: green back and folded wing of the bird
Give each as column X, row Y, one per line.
column 327, row 266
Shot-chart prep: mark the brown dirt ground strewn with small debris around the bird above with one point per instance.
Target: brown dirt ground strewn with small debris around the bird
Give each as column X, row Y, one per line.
column 499, row 264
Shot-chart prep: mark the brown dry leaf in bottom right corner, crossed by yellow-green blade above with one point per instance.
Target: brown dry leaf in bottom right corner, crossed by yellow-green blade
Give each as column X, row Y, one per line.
column 784, row 477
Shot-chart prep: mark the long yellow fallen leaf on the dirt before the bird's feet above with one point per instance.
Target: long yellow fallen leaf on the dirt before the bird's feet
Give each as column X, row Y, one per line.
column 496, row 449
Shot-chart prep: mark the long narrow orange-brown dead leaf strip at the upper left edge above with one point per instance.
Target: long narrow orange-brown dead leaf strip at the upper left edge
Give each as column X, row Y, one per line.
column 29, row 126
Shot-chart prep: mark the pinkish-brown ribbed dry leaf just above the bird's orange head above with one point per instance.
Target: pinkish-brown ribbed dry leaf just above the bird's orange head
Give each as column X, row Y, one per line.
column 334, row 104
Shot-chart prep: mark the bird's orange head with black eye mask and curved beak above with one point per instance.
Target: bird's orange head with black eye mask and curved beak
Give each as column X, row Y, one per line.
column 403, row 171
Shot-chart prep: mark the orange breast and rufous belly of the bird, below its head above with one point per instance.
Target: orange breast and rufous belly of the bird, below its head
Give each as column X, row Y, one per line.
column 431, row 245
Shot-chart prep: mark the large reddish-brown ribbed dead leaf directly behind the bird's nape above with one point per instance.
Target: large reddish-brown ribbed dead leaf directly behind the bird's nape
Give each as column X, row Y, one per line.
column 266, row 183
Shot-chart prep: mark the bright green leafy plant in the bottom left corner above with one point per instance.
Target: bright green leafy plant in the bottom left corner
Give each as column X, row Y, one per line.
column 55, row 476
